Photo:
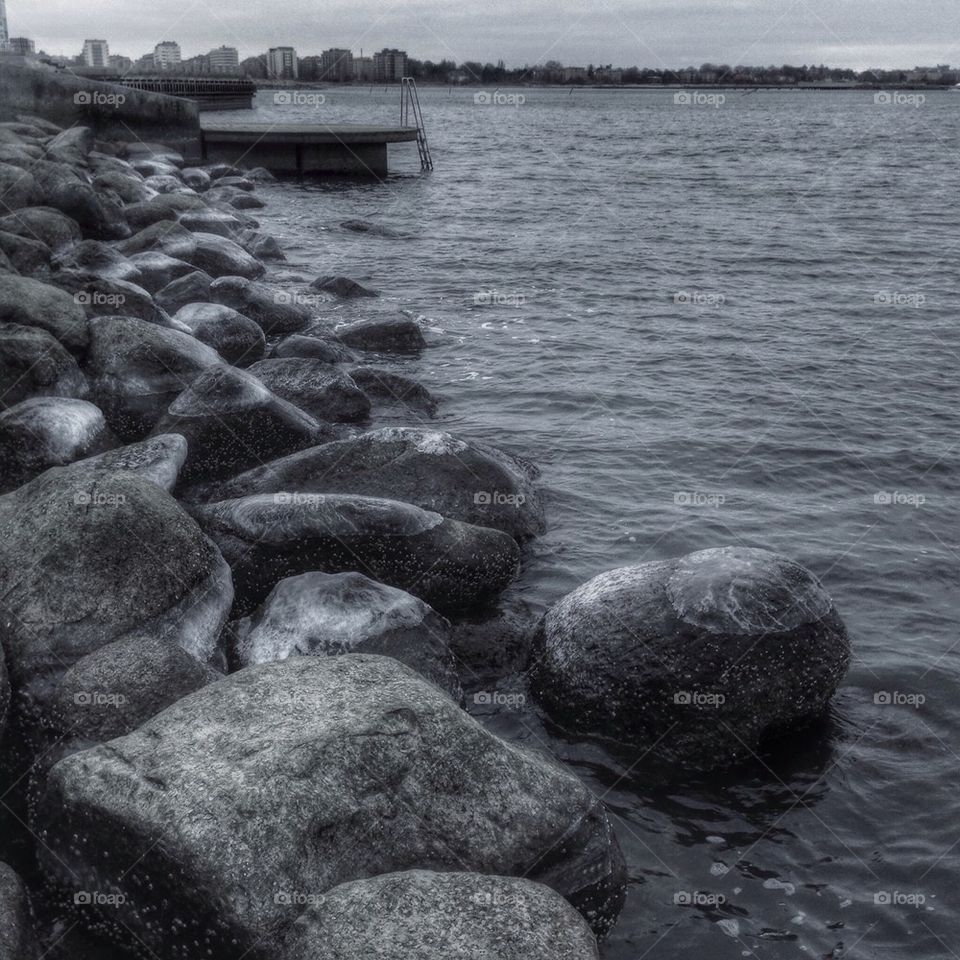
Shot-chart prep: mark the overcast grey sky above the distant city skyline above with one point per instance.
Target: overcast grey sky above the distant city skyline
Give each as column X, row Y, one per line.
column 652, row 33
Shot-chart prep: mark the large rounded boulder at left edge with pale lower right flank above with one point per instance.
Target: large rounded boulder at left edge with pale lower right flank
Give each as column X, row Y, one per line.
column 87, row 559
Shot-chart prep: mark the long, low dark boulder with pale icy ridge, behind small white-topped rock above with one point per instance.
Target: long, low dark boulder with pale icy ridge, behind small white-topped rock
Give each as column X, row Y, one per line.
column 452, row 566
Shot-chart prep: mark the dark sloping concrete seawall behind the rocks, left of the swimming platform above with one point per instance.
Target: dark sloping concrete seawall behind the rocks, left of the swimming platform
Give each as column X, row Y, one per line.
column 113, row 112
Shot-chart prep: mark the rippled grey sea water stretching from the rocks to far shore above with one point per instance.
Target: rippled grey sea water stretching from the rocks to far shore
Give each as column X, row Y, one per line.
column 712, row 325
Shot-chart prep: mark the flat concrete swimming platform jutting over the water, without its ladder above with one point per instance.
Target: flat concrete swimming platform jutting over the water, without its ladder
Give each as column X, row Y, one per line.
column 346, row 148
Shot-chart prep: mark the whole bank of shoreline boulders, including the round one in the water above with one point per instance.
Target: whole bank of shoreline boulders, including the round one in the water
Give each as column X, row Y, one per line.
column 243, row 577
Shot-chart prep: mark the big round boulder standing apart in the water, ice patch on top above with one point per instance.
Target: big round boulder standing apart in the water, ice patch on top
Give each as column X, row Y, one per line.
column 697, row 659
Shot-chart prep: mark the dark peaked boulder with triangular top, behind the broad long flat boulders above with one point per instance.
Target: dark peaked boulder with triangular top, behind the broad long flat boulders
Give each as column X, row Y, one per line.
column 232, row 421
